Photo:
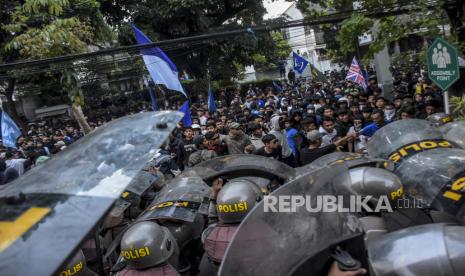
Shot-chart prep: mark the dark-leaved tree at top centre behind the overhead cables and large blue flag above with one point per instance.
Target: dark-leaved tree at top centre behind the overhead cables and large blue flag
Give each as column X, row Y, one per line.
column 220, row 58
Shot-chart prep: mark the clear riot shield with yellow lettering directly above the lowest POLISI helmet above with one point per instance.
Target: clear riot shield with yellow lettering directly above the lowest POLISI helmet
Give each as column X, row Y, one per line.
column 181, row 199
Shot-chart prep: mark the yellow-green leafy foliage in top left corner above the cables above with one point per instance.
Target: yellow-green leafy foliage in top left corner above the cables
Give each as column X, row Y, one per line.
column 47, row 28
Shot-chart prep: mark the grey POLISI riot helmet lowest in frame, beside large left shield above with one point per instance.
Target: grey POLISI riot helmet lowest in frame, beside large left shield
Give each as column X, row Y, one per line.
column 147, row 244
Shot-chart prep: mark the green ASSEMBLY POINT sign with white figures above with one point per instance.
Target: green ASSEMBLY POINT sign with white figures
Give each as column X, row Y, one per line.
column 443, row 63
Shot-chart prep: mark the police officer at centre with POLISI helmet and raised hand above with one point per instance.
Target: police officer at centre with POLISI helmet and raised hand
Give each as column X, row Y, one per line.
column 231, row 203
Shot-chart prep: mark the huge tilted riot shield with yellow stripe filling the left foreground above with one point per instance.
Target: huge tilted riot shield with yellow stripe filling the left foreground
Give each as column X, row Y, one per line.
column 46, row 213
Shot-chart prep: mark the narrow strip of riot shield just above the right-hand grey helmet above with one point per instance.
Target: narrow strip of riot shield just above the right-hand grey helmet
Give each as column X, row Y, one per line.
column 351, row 160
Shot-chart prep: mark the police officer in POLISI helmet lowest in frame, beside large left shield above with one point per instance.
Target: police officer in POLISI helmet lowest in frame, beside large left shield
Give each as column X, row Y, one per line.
column 148, row 249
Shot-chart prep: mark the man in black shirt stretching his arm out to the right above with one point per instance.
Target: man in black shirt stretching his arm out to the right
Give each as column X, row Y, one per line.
column 313, row 152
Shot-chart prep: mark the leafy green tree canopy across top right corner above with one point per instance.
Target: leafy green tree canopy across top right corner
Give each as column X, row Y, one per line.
column 420, row 17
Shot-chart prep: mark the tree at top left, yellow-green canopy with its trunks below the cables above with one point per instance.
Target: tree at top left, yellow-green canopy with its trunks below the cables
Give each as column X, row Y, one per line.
column 48, row 28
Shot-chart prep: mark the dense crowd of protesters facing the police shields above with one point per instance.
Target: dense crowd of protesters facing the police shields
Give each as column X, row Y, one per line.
column 295, row 121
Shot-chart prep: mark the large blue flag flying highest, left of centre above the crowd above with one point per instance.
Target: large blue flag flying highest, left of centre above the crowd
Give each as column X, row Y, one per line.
column 161, row 68
